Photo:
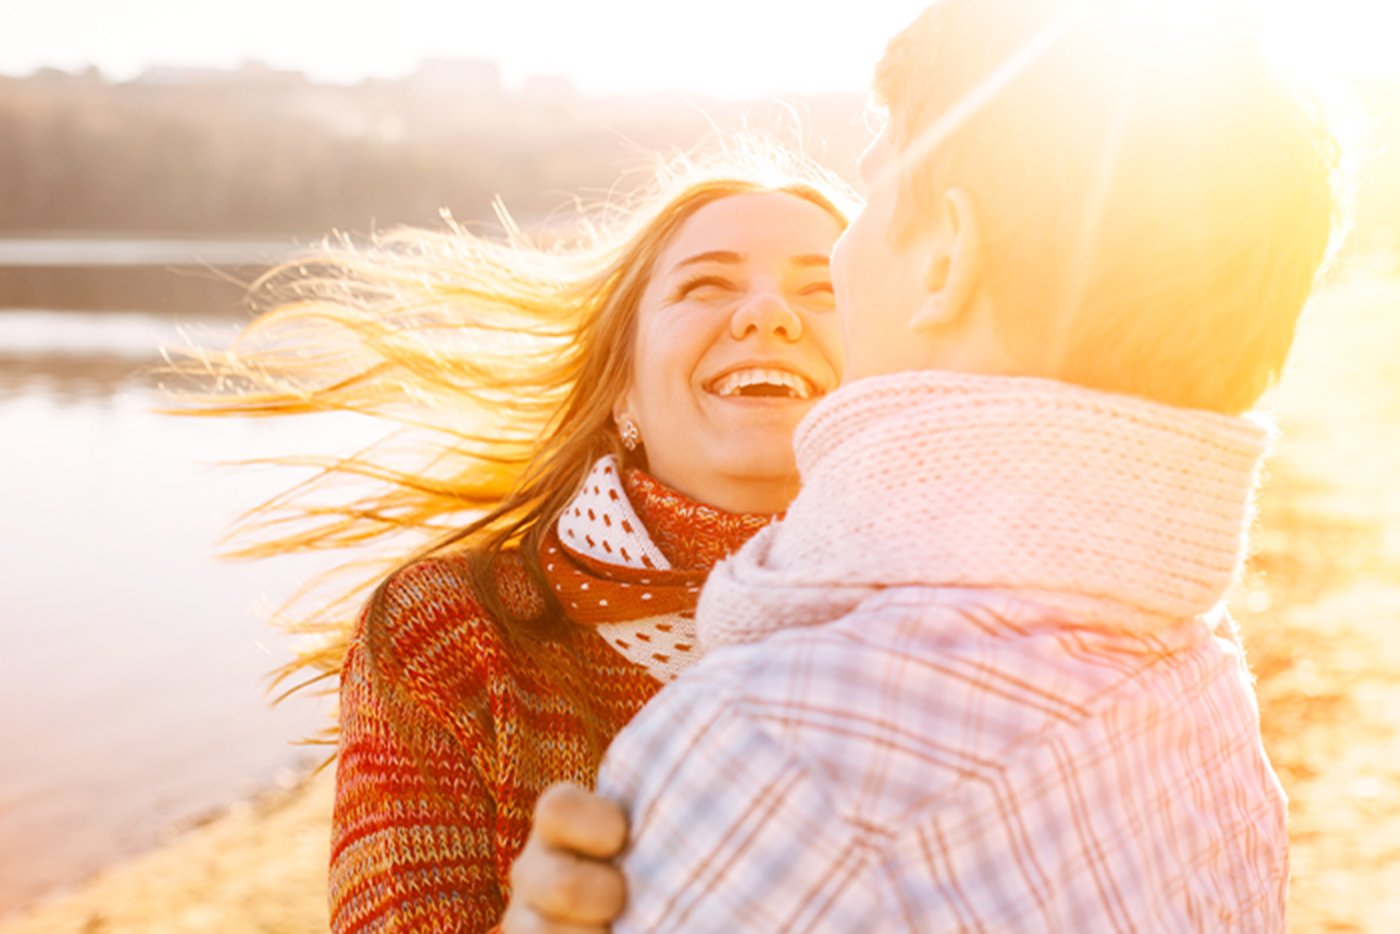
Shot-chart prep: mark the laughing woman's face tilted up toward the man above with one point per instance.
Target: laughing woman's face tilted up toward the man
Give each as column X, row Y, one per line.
column 737, row 338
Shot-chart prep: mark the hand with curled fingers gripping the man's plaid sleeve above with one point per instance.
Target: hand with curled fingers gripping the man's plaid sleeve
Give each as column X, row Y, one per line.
column 563, row 883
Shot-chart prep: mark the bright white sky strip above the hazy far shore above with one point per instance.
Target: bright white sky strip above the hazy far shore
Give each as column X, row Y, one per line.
column 722, row 48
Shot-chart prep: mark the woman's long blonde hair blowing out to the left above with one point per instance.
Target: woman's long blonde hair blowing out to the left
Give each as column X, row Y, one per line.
column 499, row 362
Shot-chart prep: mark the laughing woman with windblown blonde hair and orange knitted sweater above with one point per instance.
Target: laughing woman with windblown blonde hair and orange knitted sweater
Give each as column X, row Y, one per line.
column 622, row 410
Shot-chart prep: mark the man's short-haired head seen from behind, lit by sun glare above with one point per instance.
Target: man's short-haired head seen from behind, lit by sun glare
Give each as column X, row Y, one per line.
column 1108, row 193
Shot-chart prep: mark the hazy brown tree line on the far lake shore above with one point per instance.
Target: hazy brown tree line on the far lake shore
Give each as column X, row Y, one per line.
column 278, row 155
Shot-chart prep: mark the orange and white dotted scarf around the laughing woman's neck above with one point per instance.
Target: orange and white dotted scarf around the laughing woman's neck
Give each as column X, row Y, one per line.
column 629, row 557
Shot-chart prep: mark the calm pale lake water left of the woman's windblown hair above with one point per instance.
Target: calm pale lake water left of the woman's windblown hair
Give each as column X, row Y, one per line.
column 134, row 674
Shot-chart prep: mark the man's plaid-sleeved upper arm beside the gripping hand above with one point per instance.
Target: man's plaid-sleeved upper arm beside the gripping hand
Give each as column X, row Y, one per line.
column 731, row 831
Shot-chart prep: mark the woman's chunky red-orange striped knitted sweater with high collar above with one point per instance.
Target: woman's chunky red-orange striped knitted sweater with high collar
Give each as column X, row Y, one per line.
column 451, row 727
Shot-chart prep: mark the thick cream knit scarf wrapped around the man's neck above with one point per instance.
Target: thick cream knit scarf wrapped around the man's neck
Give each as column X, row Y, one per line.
column 1115, row 510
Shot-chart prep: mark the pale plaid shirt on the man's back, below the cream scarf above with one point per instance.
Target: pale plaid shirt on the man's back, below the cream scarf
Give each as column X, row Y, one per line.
column 954, row 760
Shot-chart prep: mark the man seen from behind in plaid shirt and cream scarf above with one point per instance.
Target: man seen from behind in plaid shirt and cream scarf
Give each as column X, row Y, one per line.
column 981, row 677
